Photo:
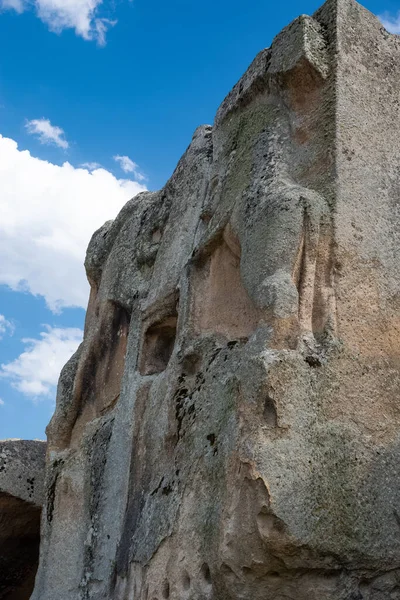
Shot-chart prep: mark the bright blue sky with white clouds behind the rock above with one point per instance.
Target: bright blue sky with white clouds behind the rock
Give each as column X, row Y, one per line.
column 98, row 100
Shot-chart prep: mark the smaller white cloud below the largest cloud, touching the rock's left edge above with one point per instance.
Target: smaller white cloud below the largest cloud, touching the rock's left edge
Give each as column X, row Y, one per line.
column 36, row 371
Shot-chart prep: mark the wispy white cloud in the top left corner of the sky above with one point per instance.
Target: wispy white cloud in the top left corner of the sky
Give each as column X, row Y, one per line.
column 80, row 15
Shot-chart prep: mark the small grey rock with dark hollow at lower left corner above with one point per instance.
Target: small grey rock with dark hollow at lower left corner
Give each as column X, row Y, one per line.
column 22, row 470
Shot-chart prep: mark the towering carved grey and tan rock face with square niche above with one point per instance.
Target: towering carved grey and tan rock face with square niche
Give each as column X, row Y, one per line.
column 229, row 428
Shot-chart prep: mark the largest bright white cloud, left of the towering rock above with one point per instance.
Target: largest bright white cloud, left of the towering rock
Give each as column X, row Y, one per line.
column 48, row 214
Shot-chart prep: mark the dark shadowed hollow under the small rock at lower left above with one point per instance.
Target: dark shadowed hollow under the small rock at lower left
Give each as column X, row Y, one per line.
column 19, row 547
